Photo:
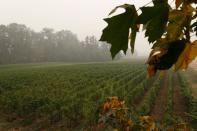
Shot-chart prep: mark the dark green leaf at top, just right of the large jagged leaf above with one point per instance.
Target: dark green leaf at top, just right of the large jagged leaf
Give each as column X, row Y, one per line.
column 155, row 19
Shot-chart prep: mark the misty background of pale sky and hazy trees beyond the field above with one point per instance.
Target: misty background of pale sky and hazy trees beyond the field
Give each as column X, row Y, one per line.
column 53, row 30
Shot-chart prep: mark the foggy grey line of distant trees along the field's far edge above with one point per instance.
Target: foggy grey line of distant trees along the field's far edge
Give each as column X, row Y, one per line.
column 20, row 44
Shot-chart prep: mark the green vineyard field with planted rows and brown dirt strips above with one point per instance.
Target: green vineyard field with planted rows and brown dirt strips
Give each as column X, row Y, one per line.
column 59, row 96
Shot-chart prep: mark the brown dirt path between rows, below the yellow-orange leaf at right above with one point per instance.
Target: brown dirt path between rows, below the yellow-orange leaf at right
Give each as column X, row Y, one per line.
column 179, row 104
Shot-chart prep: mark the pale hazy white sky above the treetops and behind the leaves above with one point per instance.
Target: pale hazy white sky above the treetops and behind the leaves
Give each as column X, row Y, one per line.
column 83, row 17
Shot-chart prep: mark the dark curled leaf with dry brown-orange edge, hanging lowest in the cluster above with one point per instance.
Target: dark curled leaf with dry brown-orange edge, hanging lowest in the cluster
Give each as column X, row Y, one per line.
column 165, row 58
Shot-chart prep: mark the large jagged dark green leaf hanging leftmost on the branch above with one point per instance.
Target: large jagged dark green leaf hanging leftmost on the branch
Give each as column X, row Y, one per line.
column 118, row 29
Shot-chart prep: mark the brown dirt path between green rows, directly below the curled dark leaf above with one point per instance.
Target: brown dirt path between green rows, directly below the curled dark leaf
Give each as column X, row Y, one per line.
column 159, row 107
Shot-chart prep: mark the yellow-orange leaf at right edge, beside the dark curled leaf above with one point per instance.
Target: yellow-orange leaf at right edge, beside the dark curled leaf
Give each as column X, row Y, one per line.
column 187, row 56
